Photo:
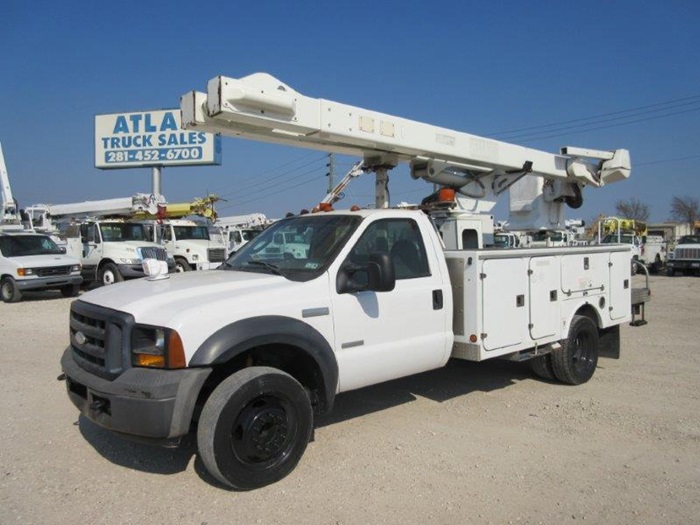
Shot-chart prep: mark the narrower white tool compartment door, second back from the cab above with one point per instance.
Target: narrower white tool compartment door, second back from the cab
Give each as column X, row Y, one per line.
column 544, row 296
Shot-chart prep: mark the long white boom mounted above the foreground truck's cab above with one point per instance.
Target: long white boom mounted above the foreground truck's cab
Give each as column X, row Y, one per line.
column 262, row 108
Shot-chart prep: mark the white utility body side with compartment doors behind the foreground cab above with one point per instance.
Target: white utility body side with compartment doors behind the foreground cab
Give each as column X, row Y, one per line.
column 502, row 308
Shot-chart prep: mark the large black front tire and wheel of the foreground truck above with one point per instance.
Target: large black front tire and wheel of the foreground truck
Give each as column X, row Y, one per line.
column 254, row 428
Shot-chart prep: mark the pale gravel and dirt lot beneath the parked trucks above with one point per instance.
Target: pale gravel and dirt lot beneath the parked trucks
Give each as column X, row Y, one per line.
column 478, row 443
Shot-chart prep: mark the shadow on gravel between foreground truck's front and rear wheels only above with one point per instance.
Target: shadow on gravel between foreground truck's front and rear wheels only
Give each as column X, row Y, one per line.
column 457, row 379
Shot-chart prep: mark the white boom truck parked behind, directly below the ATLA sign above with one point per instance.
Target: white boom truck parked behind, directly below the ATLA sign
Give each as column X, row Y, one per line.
column 110, row 247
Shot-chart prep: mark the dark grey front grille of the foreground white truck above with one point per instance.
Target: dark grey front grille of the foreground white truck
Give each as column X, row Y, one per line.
column 99, row 338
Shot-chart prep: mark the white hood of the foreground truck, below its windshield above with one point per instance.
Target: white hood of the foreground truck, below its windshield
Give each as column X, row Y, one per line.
column 163, row 300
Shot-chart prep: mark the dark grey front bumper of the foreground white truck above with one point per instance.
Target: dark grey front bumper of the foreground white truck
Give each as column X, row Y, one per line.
column 144, row 403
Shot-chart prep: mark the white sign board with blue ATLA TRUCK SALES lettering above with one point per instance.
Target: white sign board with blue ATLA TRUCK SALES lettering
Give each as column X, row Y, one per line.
column 151, row 138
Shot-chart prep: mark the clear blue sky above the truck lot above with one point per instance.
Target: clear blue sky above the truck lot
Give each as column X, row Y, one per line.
column 632, row 68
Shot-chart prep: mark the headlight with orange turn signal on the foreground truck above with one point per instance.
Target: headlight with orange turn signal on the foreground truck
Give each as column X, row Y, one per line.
column 156, row 347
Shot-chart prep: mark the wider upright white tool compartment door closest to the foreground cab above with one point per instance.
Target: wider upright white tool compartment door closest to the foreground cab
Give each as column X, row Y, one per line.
column 504, row 296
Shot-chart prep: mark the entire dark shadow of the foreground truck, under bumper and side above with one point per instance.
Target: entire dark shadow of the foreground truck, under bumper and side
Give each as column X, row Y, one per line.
column 457, row 379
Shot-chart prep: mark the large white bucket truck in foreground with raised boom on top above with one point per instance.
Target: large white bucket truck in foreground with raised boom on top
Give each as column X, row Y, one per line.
column 246, row 356
